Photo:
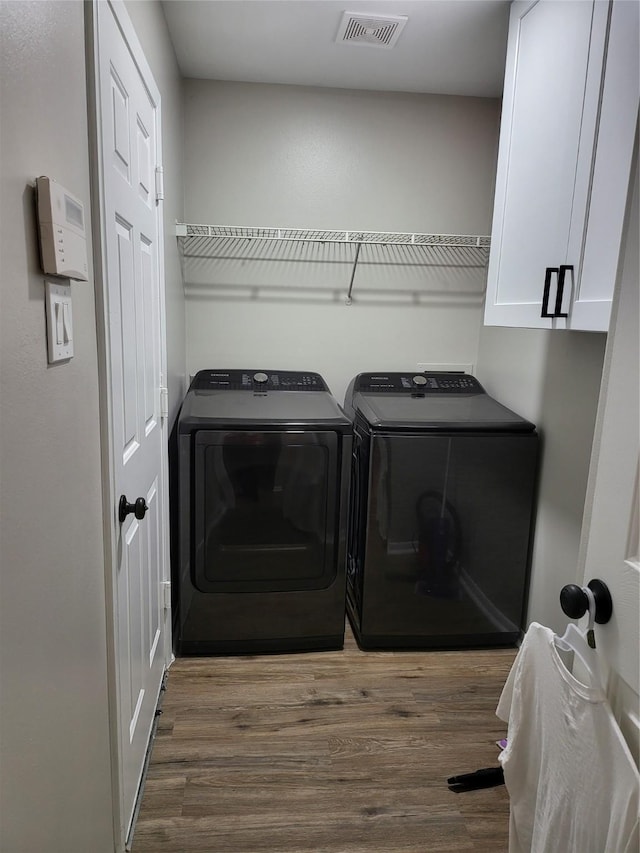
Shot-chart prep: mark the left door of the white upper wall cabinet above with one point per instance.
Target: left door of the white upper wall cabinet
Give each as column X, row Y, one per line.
column 550, row 107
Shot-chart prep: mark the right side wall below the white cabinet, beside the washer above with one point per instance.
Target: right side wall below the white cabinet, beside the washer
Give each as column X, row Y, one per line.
column 552, row 378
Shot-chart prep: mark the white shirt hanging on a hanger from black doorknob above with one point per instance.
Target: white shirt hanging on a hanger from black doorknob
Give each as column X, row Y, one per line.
column 572, row 781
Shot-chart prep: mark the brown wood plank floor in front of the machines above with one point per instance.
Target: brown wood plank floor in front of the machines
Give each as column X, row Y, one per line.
column 328, row 752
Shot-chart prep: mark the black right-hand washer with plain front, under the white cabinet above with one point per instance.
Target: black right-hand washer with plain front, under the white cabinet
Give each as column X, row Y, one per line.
column 443, row 486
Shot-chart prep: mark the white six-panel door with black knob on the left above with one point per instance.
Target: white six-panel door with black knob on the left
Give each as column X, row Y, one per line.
column 123, row 166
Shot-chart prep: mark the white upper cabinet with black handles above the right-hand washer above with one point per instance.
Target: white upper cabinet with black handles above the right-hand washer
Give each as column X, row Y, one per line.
column 569, row 118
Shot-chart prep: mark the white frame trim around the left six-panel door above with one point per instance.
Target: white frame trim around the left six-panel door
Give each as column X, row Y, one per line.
column 109, row 491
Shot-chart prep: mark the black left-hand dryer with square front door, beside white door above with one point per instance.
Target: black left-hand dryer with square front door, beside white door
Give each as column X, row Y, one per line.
column 263, row 473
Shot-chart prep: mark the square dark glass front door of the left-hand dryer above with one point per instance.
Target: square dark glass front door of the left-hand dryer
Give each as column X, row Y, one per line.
column 265, row 510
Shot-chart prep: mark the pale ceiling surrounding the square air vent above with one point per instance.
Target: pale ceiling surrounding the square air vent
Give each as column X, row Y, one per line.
column 449, row 47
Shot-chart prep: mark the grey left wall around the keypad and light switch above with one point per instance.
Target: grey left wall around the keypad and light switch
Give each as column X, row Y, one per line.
column 55, row 766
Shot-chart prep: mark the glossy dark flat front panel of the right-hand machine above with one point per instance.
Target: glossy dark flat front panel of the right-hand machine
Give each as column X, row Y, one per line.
column 448, row 536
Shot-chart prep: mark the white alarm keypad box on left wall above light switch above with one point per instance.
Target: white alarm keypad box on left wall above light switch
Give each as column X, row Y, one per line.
column 63, row 242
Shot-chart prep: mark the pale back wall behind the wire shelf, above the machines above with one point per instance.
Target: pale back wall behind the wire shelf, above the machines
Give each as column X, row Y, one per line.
column 288, row 156
